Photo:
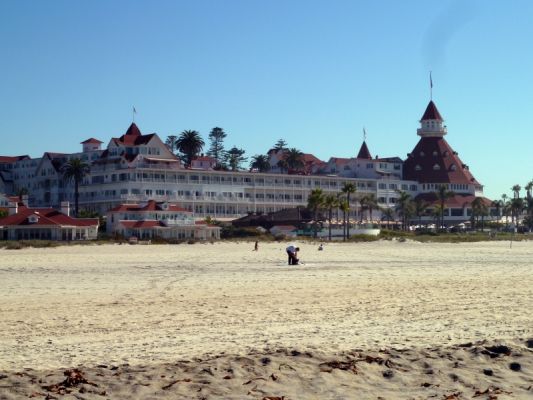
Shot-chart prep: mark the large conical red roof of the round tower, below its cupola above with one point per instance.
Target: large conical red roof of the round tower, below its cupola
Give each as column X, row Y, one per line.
column 431, row 152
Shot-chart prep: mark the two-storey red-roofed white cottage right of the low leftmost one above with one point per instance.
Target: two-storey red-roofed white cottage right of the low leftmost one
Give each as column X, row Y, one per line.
column 163, row 220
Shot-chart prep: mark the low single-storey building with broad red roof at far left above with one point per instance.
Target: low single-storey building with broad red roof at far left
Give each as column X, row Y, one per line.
column 26, row 223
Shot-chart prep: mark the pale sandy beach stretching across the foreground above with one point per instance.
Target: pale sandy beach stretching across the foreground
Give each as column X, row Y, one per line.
column 383, row 319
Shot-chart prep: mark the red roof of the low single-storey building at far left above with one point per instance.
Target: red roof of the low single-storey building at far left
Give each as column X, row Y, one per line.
column 46, row 216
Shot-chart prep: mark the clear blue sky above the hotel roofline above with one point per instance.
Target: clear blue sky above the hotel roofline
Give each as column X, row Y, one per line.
column 311, row 72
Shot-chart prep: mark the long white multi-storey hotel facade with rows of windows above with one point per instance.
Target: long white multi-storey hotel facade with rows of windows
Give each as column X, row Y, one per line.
column 136, row 168
